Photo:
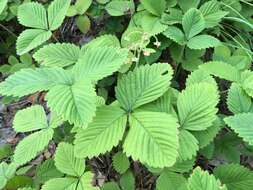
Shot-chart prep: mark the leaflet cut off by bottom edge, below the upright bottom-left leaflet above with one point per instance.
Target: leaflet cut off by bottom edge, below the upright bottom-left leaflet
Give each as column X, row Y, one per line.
column 61, row 184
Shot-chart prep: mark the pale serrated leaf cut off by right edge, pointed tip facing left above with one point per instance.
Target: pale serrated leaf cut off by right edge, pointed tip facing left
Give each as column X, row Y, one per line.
column 242, row 124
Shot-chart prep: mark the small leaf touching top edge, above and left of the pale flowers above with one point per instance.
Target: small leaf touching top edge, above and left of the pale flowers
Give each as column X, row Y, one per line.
column 120, row 7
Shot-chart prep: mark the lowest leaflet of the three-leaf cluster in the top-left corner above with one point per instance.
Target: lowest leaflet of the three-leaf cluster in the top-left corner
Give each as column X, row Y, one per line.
column 30, row 39
